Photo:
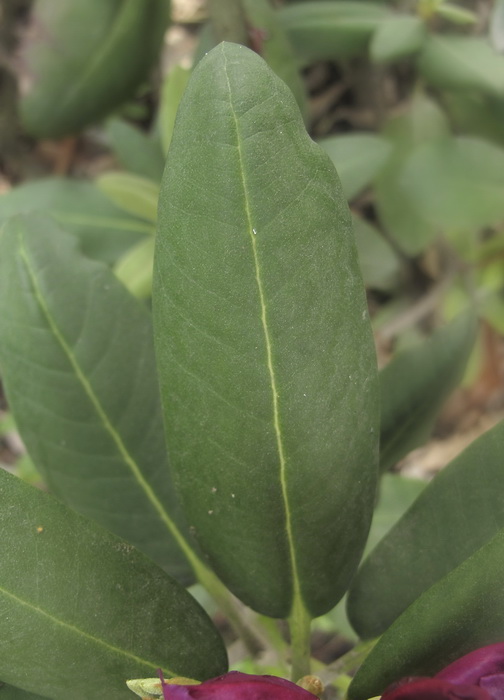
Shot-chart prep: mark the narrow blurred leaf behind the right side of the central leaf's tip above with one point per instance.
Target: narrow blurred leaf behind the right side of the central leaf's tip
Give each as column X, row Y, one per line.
column 274, row 46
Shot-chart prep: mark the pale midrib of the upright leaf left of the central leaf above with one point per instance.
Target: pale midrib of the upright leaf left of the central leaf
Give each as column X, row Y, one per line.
column 109, row 428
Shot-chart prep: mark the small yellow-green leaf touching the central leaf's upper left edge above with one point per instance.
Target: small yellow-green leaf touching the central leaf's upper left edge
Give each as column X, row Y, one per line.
column 131, row 193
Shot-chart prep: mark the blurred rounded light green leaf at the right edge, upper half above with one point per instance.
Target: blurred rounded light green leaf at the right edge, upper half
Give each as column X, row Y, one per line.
column 457, row 182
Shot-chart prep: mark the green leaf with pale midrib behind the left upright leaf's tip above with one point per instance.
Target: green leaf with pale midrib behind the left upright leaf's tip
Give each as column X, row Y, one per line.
column 103, row 230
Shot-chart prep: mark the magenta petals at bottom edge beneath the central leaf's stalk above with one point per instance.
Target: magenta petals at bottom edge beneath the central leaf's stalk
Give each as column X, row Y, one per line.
column 238, row 686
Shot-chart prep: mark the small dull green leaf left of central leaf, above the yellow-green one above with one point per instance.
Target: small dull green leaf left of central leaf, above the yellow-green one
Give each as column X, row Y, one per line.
column 135, row 150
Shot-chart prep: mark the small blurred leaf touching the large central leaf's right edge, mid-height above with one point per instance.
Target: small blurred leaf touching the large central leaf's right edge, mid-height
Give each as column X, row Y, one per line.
column 378, row 261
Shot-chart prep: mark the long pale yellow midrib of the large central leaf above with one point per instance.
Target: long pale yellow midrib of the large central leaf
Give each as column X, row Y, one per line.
column 297, row 600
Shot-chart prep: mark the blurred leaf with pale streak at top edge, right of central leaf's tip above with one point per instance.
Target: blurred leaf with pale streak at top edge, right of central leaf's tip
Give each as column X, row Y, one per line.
column 324, row 29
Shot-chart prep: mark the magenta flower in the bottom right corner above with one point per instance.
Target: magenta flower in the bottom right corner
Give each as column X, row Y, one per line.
column 476, row 676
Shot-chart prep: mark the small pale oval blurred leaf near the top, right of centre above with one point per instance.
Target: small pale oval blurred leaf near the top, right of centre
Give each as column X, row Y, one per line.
column 397, row 37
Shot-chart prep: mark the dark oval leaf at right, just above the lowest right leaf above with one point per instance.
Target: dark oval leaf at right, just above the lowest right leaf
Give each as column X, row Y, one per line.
column 457, row 513
